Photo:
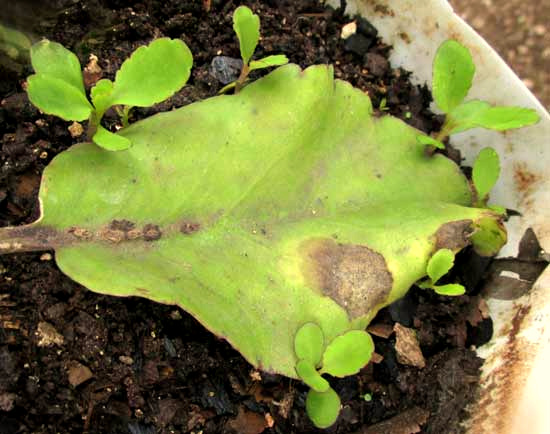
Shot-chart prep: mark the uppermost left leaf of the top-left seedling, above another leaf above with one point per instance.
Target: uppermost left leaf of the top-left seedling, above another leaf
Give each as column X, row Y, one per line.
column 55, row 61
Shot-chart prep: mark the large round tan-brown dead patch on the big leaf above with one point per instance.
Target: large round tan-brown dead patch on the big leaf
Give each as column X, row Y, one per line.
column 354, row 276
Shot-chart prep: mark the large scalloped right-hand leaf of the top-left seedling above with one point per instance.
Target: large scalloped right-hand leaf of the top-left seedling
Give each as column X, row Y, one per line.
column 152, row 73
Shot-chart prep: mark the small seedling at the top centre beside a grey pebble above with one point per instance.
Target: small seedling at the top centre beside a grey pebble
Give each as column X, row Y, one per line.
column 247, row 27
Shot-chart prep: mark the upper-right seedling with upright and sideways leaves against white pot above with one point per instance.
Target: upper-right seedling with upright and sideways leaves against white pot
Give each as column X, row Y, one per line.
column 453, row 72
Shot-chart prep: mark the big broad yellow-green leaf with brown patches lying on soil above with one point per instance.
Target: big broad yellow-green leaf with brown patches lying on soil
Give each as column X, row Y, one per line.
column 258, row 218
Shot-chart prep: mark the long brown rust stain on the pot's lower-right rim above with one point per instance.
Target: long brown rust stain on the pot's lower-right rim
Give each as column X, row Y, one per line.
column 498, row 400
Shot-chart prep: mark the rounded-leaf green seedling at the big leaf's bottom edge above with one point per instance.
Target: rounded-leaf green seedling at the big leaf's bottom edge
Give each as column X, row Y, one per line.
column 344, row 355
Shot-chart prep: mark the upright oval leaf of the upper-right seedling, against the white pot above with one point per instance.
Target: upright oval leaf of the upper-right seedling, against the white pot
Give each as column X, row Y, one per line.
column 453, row 71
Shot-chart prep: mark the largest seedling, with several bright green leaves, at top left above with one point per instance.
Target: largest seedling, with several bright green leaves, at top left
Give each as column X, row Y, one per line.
column 151, row 74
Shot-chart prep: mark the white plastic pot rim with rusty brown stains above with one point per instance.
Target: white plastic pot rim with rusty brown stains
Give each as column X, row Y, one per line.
column 515, row 376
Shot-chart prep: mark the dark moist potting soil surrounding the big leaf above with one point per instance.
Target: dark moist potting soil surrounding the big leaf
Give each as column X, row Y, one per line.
column 133, row 366
